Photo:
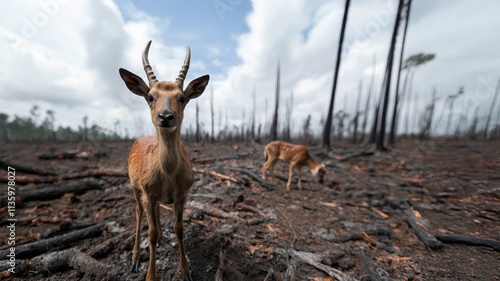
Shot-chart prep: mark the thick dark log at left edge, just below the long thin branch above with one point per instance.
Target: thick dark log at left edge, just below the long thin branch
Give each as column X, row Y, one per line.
column 55, row 191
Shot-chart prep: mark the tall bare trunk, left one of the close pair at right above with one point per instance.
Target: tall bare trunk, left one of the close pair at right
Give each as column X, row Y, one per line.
column 390, row 59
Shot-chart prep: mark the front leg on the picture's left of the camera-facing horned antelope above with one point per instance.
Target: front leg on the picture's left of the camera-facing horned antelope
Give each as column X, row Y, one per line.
column 152, row 213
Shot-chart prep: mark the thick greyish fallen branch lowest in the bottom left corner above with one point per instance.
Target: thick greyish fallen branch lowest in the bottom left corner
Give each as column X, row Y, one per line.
column 70, row 258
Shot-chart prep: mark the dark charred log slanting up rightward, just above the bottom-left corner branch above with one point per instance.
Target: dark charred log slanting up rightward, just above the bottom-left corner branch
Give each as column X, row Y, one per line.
column 36, row 248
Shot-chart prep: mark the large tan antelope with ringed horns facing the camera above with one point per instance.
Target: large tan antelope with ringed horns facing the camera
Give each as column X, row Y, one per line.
column 159, row 166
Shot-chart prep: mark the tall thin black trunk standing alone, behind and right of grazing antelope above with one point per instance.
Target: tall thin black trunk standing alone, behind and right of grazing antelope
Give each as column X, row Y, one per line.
column 328, row 123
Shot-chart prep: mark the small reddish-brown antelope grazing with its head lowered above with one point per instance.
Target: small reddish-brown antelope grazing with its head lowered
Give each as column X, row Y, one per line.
column 296, row 155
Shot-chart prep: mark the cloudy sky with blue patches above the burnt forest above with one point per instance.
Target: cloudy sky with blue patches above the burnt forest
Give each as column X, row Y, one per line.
column 64, row 56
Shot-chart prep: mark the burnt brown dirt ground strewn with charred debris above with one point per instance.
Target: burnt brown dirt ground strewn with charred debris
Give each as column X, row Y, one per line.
column 353, row 221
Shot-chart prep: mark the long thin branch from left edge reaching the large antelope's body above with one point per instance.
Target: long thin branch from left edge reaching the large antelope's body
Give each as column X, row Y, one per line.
column 87, row 174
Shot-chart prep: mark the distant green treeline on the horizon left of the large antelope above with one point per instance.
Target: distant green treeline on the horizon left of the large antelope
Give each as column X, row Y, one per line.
column 36, row 127
